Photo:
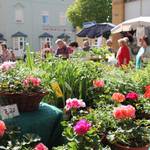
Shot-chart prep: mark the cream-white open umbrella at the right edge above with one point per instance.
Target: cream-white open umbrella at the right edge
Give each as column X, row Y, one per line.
column 131, row 24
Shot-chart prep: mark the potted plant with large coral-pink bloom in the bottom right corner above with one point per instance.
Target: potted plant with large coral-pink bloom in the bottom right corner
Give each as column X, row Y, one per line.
column 130, row 134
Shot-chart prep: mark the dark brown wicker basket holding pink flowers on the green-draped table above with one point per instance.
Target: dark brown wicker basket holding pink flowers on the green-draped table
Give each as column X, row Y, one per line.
column 25, row 102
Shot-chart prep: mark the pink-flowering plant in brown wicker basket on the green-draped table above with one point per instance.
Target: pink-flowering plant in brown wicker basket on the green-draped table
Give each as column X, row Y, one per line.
column 19, row 85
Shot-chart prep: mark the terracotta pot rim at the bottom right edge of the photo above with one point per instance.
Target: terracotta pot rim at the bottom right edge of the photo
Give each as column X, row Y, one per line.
column 120, row 147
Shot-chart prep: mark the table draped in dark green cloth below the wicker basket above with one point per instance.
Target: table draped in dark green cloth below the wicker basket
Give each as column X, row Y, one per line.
column 45, row 122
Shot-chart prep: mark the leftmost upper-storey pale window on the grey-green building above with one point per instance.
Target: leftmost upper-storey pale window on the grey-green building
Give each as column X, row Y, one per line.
column 19, row 13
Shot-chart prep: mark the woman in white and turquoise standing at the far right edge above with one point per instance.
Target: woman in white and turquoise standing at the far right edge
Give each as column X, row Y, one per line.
column 139, row 57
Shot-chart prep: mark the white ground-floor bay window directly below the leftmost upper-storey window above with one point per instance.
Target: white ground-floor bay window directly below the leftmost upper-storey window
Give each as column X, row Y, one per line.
column 19, row 43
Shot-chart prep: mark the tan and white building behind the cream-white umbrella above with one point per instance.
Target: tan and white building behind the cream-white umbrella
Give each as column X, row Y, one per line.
column 126, row 9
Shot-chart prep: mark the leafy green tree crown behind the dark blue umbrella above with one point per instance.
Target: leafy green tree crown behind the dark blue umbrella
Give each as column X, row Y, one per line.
column 90, row 10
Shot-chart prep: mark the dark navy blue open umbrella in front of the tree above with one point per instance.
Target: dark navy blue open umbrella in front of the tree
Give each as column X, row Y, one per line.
column 96, row 30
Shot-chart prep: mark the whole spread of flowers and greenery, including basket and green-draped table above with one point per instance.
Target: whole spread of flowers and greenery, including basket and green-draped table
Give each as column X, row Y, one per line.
column 85, row 104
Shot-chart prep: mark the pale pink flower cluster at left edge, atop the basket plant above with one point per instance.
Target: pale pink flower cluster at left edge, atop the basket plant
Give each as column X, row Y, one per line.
column 7, row 66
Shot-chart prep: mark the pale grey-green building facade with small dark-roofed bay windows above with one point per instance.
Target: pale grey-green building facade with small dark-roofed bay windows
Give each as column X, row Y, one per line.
column 34, row 21
